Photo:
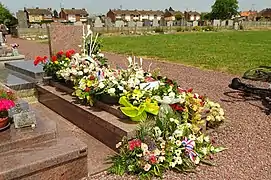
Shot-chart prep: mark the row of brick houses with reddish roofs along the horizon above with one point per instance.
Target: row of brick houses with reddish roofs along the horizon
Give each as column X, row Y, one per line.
column 74, row 15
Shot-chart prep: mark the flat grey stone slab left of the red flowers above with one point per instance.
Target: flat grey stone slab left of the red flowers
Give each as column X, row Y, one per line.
column 26, row 68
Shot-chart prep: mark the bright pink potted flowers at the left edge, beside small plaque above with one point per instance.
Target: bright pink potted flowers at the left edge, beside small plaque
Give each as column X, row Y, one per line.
column 5, row 105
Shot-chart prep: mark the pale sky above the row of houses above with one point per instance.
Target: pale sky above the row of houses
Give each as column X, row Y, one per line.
column 102, row 6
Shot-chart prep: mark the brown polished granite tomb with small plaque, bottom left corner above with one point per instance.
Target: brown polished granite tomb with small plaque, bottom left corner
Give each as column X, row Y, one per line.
column 38, row 153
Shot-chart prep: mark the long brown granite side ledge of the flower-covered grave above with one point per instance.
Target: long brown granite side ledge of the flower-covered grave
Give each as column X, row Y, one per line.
column 100, row 124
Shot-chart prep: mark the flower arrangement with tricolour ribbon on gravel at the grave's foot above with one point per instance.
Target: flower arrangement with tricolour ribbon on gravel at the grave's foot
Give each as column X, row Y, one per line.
column 168, row 143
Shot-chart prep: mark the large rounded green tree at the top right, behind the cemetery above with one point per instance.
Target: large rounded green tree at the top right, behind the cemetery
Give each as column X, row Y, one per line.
column 224, row 9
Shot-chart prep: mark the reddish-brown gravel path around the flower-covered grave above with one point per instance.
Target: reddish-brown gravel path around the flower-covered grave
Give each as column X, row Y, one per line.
column 247, row 134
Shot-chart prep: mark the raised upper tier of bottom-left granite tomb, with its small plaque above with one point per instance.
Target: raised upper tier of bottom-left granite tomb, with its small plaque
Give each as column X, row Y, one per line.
column 18, row 138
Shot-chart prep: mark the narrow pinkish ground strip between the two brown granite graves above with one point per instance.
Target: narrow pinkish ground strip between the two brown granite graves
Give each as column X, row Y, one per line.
column 97, row 151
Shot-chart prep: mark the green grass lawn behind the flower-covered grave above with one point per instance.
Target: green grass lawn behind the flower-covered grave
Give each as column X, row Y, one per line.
column 232, row 52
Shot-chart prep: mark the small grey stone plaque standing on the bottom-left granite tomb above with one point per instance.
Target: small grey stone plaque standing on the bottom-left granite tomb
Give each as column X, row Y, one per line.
column 25, row 119
